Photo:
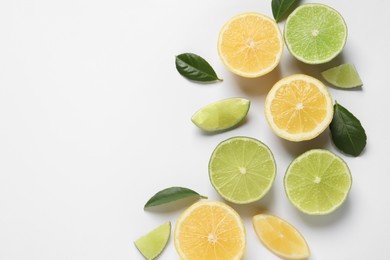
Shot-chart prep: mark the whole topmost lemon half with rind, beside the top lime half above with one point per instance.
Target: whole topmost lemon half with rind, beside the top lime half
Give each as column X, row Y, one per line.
column 250, row 45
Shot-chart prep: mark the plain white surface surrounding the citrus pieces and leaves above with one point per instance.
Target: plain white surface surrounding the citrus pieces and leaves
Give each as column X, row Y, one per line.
column 95, row 119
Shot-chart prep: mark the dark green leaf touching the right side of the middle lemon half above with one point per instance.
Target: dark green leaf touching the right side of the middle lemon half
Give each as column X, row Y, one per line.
column 347, row 132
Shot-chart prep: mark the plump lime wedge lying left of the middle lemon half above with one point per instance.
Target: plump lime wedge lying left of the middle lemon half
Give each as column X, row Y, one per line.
column 221, row 115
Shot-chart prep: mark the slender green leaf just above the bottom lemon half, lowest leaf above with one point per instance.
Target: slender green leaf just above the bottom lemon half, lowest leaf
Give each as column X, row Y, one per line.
column 172, row 194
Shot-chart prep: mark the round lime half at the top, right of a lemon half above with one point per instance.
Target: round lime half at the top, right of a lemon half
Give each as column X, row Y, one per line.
column 315, row 33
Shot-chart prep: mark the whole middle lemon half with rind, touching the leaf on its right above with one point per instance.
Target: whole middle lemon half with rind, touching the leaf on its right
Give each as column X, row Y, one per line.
column 299, row 108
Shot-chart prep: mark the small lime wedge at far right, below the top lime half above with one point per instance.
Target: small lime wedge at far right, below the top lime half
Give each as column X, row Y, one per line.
column 343, row 76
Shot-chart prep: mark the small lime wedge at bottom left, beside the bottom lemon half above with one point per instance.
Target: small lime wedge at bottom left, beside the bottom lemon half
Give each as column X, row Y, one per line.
column 153, row 243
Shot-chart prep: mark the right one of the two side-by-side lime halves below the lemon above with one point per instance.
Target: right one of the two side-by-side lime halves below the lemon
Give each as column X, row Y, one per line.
column 317, row 182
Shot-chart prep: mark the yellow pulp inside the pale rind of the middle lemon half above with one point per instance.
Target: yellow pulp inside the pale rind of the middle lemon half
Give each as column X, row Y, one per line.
column 299, row 107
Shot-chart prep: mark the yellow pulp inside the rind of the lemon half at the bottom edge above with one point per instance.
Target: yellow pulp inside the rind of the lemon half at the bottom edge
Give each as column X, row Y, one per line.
column 212, row 232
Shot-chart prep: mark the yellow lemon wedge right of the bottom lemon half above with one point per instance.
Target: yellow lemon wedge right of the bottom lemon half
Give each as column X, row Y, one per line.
column 280, row 237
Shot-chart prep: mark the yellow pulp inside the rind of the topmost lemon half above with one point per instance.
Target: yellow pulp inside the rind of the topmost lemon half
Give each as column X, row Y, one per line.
column 251, row 44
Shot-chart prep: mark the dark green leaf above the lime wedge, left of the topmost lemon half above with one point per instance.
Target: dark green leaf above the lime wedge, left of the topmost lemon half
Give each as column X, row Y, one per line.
column 194, row 67
